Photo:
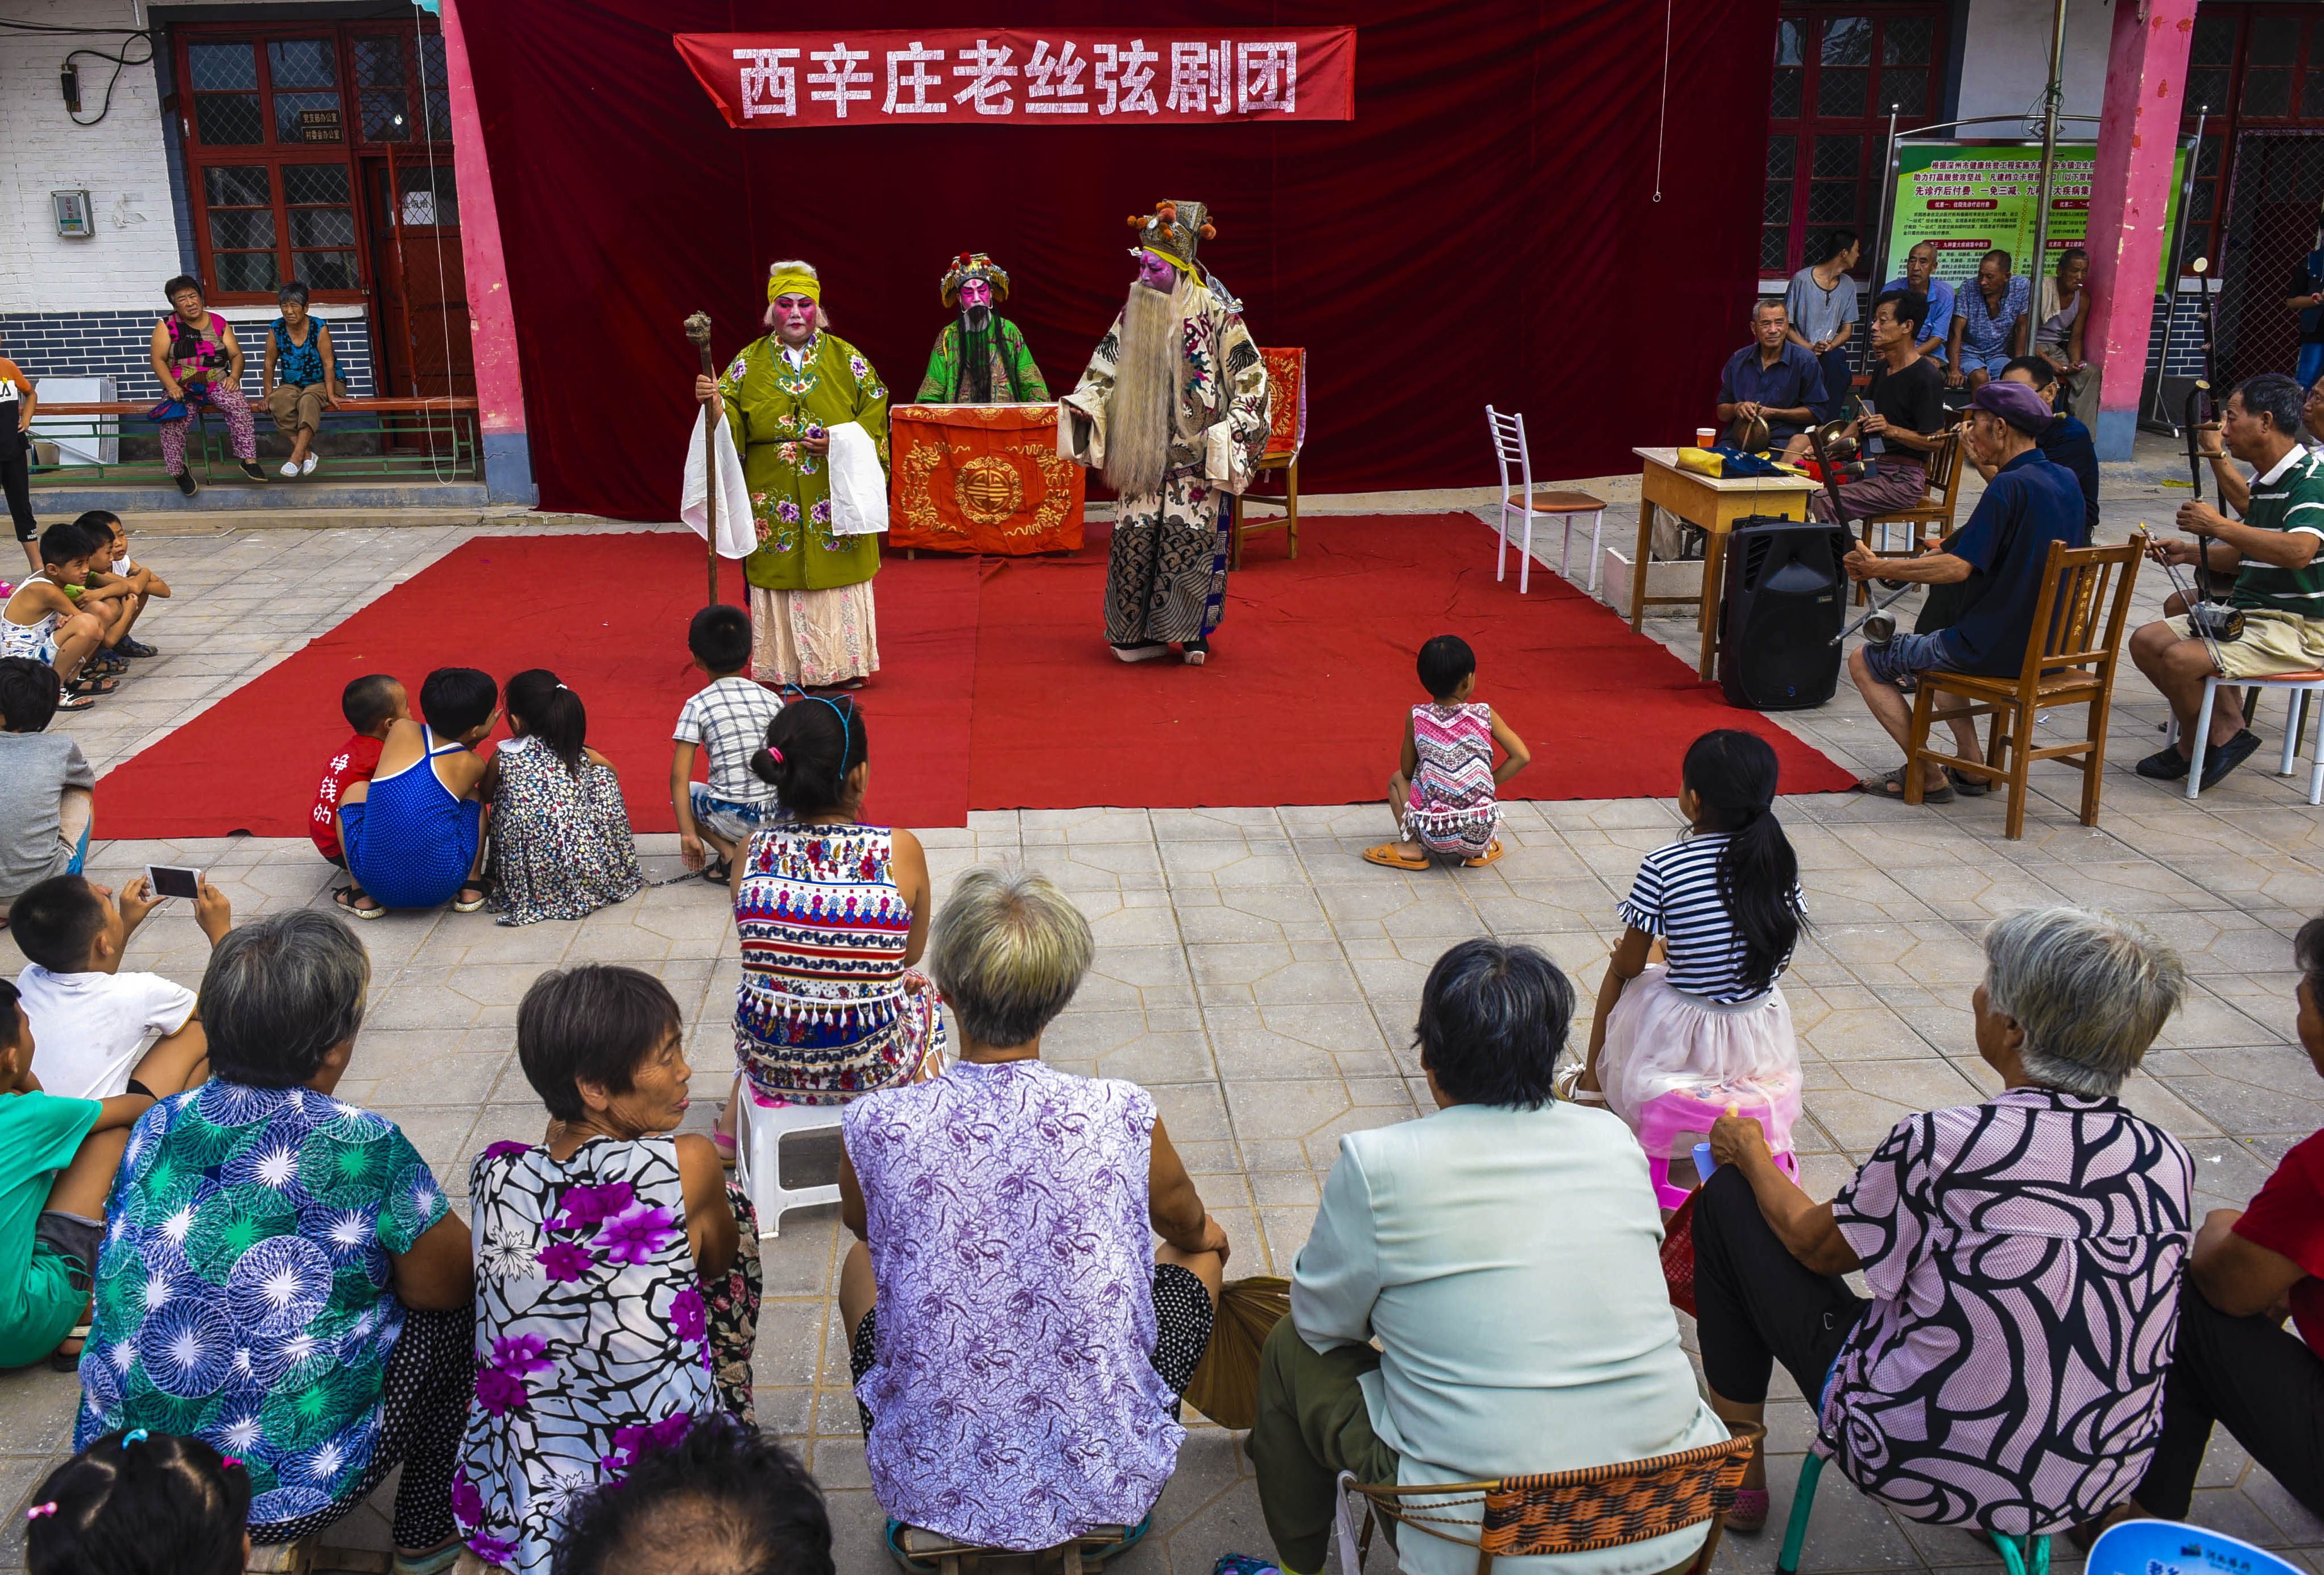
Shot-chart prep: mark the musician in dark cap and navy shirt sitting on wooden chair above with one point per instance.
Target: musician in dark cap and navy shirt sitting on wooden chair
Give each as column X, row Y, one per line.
column 1997, row 559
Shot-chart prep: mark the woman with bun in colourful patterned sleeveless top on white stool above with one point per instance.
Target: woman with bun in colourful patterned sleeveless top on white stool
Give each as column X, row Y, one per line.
column 833, row 919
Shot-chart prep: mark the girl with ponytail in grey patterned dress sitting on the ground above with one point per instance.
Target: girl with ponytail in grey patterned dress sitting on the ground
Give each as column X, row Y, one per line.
column 561, row 835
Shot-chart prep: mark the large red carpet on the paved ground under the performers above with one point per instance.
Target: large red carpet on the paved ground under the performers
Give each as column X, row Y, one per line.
column 996, row 686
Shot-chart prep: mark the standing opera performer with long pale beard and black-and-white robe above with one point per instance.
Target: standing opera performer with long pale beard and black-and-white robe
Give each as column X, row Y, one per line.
column 1172, row 410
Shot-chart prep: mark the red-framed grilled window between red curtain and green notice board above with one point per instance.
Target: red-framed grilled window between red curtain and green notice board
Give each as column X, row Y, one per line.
column 1839, row 69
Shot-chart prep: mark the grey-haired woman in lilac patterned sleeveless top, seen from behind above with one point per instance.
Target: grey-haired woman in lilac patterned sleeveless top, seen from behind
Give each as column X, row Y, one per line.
column 1019, row 1339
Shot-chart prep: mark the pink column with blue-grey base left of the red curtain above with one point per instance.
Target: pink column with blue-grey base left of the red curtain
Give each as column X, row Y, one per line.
column 492, row 319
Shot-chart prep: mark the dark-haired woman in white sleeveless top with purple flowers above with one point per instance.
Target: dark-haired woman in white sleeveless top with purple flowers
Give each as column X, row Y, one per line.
column 617, row 1270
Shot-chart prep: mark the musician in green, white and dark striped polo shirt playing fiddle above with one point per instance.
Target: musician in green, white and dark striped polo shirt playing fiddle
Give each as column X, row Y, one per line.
column 2279, row 582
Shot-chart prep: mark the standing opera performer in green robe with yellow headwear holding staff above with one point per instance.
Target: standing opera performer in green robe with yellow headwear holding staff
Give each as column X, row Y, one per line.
column 782, row 401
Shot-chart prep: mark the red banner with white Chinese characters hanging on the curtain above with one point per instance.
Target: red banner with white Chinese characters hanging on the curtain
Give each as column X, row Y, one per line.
column 1040, row 78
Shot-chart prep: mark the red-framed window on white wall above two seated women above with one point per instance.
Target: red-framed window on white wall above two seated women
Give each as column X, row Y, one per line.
column 280, row 131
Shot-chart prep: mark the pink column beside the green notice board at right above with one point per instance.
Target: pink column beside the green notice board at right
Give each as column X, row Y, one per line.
column 2130, row 203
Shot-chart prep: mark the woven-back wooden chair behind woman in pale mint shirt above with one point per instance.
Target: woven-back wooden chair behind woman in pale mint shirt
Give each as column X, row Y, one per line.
column 1565, row 1511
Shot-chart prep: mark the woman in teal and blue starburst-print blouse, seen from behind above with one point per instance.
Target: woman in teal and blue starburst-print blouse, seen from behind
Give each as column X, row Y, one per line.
column 280, row 1272
